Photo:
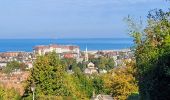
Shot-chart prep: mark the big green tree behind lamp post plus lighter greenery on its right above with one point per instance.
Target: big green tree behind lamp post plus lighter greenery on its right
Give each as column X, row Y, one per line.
column 52, row 81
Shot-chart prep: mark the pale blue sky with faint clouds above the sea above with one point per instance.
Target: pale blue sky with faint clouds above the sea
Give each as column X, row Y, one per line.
column 71, row 18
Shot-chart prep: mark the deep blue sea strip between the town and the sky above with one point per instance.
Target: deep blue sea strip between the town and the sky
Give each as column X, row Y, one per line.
column 27, row 45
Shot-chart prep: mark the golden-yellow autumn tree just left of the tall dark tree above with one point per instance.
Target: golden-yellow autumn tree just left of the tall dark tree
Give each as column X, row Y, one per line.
column 121, row 82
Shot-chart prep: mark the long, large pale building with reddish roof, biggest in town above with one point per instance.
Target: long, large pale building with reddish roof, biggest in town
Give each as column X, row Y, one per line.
column 68, row 51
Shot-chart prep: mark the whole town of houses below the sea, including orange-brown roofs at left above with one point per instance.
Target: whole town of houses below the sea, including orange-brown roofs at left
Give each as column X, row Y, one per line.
column 26, row 59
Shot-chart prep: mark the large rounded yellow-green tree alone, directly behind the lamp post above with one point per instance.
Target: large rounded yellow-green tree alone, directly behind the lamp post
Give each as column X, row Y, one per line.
column 49, row 76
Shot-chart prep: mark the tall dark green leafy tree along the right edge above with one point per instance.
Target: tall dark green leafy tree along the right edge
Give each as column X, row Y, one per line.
column 152, row 56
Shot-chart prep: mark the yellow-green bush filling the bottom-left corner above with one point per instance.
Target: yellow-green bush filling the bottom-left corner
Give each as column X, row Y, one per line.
column 9, row 94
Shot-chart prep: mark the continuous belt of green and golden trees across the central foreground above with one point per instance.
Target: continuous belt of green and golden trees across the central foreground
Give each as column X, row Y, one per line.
column 53, row 82
